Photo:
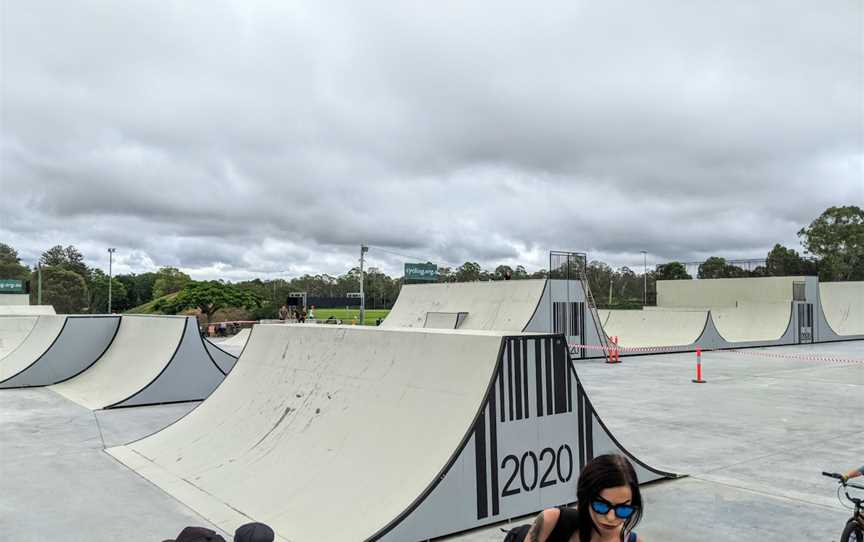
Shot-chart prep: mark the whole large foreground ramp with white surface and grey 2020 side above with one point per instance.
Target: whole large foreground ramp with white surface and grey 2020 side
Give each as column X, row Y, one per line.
column 423, row 432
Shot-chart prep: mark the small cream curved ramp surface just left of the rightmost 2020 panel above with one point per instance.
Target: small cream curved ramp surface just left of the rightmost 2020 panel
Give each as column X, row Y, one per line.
column 749, row 322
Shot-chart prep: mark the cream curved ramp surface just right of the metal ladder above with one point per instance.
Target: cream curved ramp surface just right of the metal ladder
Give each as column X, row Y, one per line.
column 639, row 328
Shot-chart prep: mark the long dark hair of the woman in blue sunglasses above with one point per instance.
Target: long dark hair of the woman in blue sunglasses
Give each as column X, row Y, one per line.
column 601, row 473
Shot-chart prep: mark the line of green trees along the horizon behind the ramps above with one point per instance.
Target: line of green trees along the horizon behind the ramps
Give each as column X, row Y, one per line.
column 833, row 243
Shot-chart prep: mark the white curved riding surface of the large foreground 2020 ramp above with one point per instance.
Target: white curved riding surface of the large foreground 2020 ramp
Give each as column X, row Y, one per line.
column 307, row 414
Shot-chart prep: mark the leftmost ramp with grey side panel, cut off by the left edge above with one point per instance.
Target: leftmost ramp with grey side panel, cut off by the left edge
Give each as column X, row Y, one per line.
column 80, row 341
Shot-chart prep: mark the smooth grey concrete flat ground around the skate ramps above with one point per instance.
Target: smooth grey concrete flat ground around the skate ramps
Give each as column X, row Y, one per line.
column 753, row 441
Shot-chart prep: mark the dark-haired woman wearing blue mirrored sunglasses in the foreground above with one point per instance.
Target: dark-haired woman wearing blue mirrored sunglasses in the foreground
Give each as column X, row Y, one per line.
column 608, row 507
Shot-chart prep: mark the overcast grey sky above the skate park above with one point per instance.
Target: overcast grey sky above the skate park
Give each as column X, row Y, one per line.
column 239, row 139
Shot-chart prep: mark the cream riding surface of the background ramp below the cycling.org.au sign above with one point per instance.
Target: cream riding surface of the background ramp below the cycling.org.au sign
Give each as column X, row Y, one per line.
column 506, row 305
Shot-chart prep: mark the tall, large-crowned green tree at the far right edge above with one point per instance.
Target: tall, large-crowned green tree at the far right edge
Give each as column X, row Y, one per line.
column 836, row 237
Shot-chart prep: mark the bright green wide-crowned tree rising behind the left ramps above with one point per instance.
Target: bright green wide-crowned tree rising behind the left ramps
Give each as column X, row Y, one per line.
column 208, row 297
